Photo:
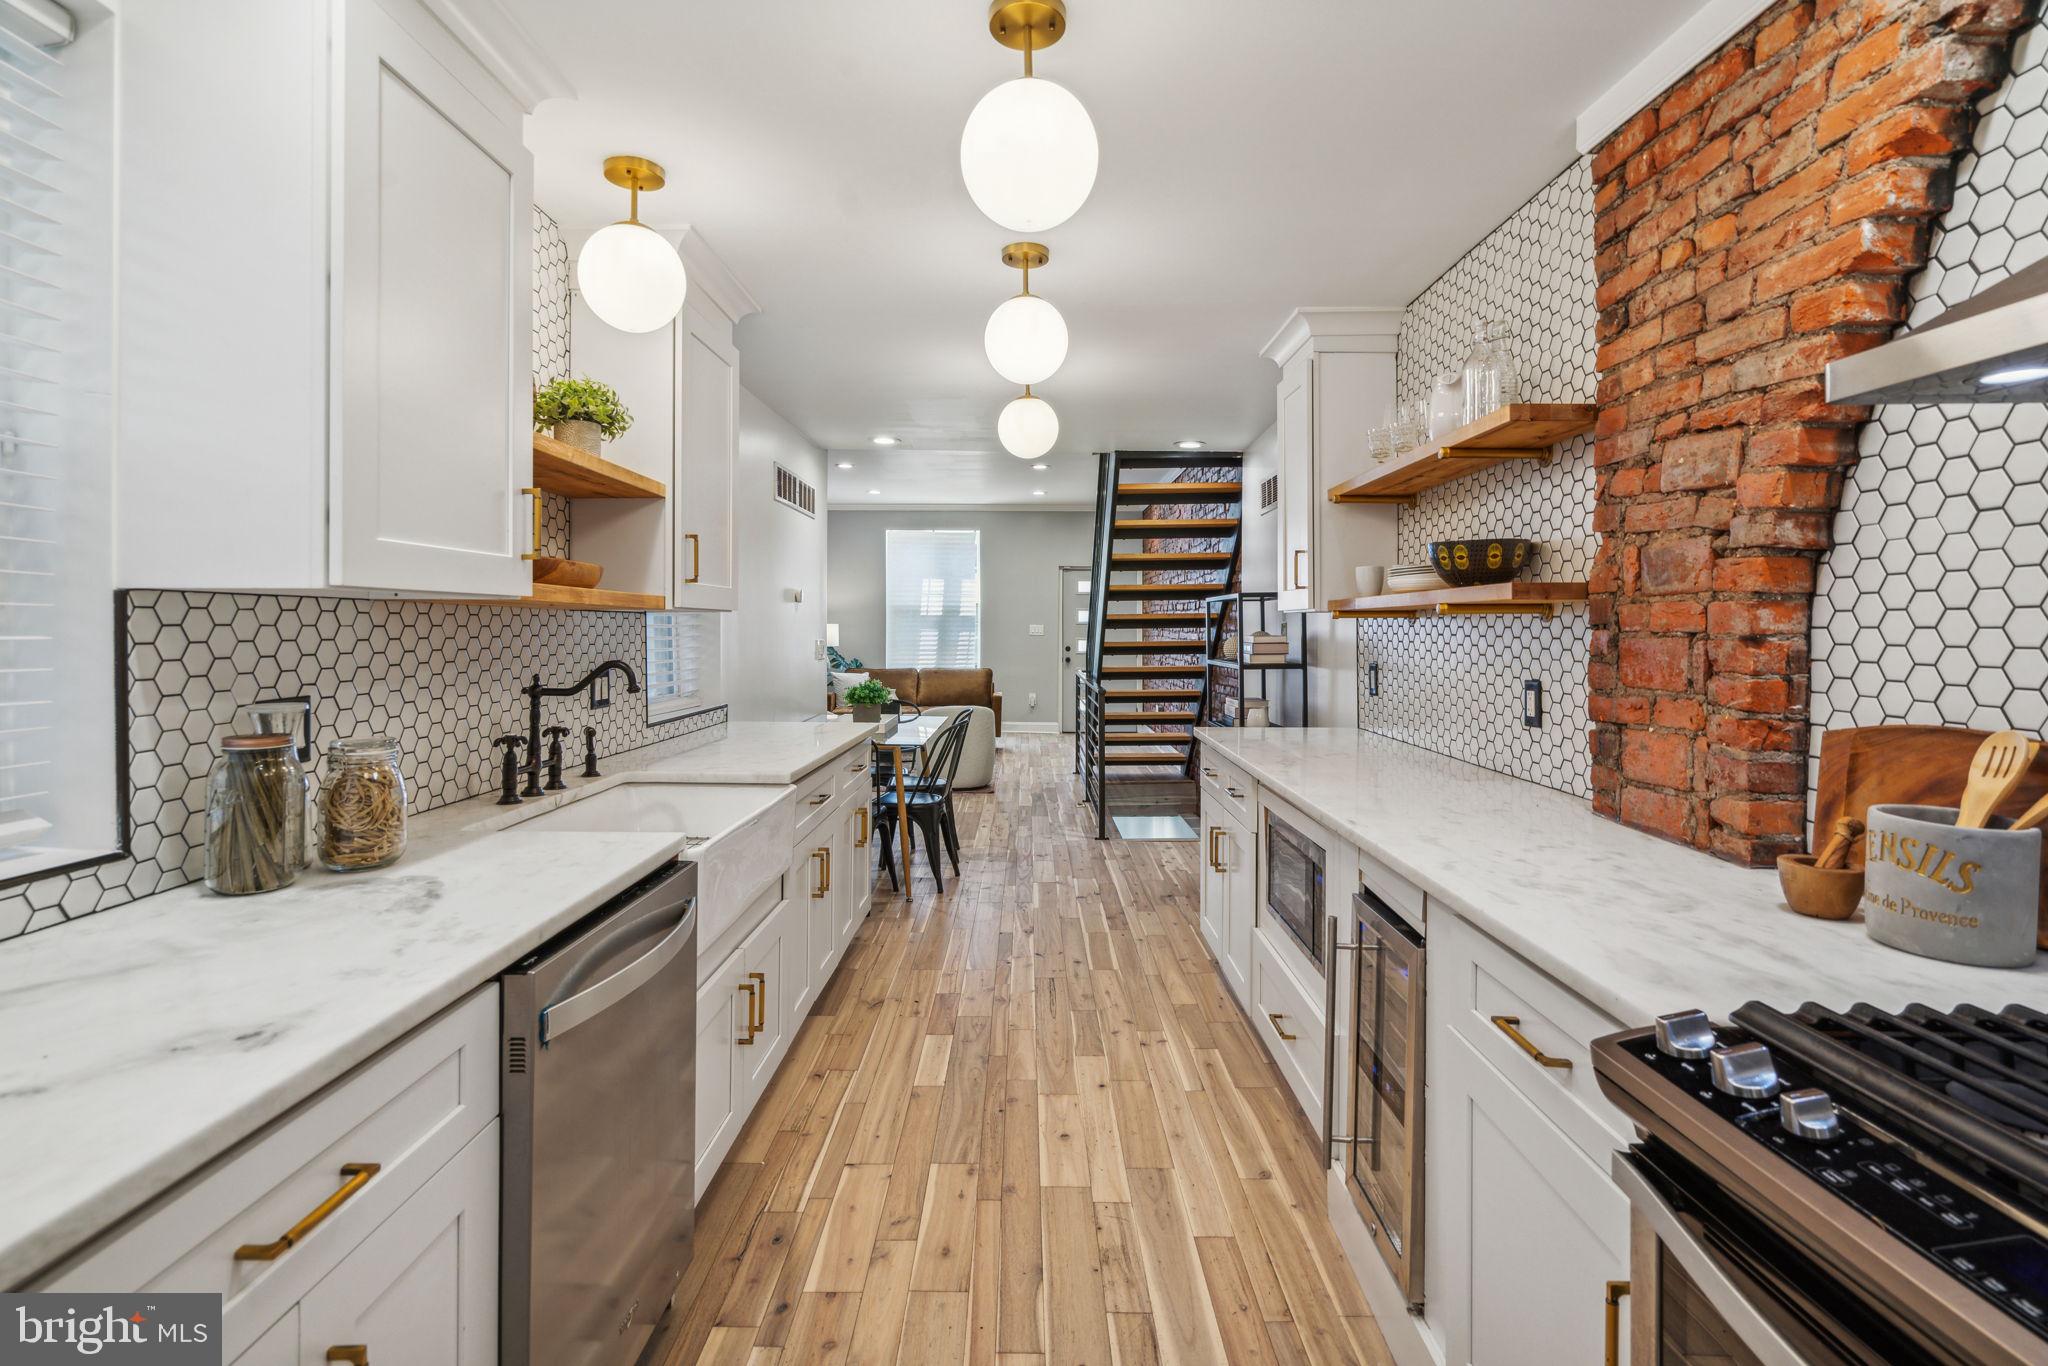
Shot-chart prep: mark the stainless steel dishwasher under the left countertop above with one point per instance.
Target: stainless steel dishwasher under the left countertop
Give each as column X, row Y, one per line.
column 599, row 1097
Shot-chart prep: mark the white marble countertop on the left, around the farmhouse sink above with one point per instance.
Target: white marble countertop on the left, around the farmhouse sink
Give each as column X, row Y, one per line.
column 146, row 1041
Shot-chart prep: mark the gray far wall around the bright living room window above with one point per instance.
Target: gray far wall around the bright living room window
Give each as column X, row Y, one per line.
column 1021, row 558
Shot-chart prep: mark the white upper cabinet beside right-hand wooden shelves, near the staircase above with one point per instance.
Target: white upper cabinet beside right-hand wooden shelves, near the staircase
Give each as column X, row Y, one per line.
column 1336, row 382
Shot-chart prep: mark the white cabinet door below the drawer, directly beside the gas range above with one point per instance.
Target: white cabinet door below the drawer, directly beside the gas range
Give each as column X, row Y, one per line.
column 1529, row 1230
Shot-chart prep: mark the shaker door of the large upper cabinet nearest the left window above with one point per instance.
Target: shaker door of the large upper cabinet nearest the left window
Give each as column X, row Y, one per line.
column 433, row 310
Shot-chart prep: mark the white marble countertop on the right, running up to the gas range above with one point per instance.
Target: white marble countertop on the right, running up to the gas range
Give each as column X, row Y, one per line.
column 1631, row 923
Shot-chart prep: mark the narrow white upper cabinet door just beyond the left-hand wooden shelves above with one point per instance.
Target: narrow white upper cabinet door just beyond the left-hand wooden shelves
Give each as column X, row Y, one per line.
column 708, row 445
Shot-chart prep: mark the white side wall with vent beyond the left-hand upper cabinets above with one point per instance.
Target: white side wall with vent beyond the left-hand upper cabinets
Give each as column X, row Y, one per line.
column 771, row 644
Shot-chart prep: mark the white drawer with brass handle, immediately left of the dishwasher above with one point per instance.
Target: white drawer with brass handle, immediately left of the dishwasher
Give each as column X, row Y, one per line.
column 267, row 1222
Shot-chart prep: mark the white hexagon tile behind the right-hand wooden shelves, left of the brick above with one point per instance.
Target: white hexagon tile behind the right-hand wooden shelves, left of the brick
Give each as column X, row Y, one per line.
column 1453, row 685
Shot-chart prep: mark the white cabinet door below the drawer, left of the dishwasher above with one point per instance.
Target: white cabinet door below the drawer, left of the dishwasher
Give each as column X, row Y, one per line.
column 423, row 1289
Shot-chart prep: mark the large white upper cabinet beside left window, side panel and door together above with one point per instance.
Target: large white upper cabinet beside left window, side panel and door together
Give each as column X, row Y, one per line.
column 327, row 302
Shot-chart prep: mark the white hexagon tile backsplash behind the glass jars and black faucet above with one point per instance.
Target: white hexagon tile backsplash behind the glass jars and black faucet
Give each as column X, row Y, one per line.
column 439, row 677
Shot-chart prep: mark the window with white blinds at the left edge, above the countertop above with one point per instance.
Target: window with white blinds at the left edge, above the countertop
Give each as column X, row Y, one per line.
column 58, row 673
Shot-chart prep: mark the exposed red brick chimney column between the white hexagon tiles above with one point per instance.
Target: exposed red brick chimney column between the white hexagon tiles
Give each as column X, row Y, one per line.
column 1754, row 224
